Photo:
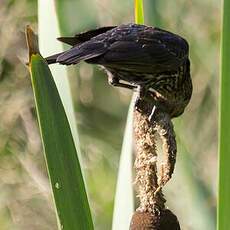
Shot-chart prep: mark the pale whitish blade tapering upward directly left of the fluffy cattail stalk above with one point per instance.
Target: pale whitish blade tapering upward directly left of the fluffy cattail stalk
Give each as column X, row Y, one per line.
column 124, row 199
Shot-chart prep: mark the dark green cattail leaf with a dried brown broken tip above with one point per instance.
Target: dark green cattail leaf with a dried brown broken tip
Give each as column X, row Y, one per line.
column 64, row 170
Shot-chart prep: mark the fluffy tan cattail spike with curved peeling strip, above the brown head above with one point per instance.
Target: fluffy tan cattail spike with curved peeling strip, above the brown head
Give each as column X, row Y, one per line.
column 148, row 124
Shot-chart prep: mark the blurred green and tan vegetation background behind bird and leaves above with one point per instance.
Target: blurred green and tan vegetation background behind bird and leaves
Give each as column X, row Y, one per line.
column 25, row 196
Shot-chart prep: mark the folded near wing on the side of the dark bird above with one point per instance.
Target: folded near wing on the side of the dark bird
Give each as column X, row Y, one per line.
column 154, row 54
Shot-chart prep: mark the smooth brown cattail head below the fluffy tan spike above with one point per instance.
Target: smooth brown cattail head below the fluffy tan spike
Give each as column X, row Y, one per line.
column 164, row 220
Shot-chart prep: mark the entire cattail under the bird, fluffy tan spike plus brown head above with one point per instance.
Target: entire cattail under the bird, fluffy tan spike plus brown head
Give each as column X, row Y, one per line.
column 148, row 123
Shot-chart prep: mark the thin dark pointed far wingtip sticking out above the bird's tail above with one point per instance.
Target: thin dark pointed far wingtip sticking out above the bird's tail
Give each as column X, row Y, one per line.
column 85, row 36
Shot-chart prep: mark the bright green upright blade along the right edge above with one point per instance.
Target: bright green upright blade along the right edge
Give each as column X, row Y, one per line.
column 223, row 207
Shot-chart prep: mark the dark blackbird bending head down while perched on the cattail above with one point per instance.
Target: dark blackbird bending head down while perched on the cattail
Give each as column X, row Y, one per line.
column 136, row 56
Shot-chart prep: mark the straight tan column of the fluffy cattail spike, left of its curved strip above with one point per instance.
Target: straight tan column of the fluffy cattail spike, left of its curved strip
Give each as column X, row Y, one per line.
column 146, row 165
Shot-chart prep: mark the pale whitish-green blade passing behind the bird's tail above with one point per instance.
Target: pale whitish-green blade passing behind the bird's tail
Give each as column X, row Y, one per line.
column 48, row 32
